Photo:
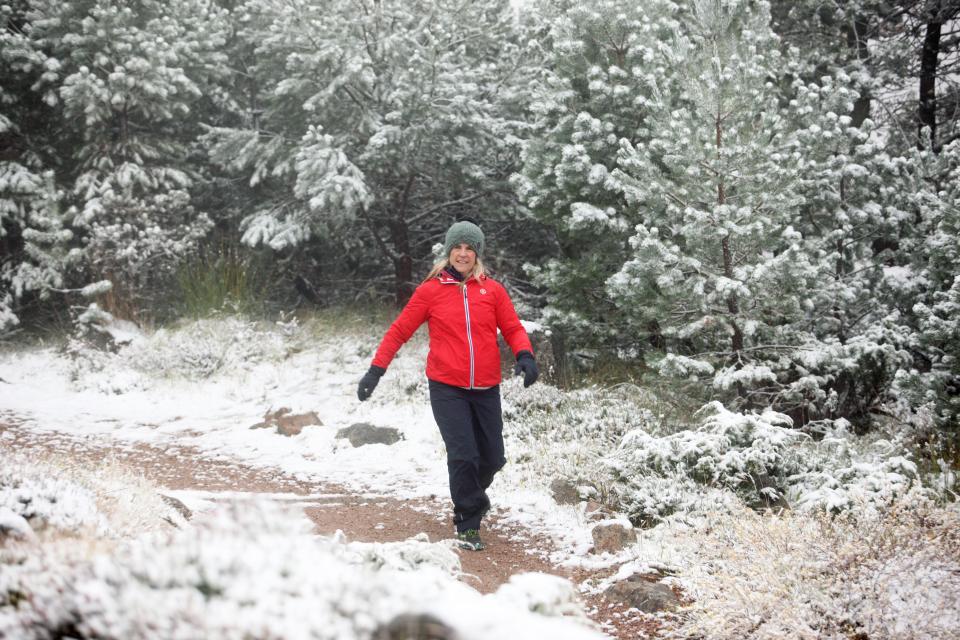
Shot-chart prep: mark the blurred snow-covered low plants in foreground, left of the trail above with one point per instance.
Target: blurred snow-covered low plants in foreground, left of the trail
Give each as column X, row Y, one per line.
column 86, row 554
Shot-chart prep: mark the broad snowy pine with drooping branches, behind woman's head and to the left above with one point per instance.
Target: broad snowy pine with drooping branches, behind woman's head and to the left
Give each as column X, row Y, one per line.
column 376, row 119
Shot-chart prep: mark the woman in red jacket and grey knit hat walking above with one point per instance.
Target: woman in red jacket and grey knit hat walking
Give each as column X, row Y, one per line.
column 463, row 308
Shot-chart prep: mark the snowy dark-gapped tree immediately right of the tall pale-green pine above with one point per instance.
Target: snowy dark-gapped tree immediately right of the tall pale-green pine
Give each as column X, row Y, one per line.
column 856, row 201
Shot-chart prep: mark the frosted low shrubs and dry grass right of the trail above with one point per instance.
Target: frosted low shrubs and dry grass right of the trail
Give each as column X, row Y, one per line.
column 782, row 534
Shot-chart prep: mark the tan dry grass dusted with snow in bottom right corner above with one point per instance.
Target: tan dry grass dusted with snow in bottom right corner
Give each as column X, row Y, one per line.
column 889, row 574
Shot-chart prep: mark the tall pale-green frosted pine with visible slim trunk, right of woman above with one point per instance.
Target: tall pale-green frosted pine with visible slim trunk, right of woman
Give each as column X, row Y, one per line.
column 716, row 264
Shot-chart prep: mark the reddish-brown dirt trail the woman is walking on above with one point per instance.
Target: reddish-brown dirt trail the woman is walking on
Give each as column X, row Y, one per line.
column 367, row 518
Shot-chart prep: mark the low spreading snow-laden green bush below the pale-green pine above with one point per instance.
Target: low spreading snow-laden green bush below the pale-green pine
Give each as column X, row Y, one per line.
column 760, row 459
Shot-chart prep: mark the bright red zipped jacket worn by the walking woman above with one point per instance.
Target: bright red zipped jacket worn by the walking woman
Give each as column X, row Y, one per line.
column 463, row 325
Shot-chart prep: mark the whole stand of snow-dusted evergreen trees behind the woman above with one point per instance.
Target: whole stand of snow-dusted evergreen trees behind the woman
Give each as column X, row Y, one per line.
column 742, row 196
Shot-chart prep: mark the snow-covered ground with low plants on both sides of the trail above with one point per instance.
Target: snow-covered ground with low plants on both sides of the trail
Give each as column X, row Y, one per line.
column 206, row 383
